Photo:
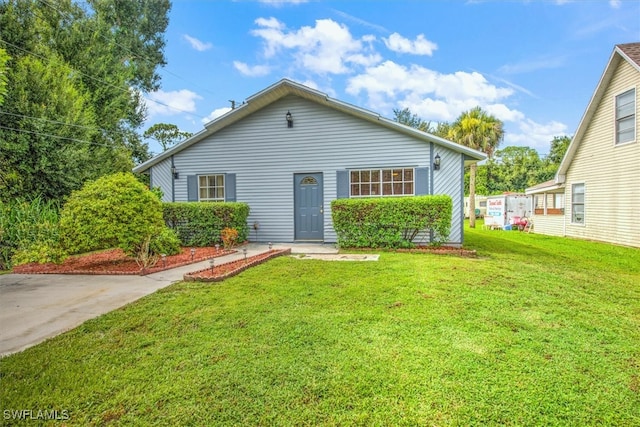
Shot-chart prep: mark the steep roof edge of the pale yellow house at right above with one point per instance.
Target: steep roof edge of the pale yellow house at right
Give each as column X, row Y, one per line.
column 629, row 52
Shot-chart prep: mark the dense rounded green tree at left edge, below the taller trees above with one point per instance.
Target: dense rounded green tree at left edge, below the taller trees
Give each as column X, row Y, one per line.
column 46, row 139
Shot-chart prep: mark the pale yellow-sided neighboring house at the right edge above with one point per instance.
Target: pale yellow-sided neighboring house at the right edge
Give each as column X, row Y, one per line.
column 595, row 193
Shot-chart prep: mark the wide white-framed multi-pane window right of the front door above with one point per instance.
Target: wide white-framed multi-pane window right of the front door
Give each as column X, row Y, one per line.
column 381, row 182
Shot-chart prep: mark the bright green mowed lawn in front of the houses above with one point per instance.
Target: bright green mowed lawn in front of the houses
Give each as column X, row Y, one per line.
column 536, row 331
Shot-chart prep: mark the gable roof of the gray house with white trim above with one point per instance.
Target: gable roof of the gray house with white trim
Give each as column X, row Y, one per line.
column 287, row 87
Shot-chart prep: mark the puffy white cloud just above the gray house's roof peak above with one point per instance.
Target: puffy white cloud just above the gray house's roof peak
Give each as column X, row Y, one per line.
column 327, row 48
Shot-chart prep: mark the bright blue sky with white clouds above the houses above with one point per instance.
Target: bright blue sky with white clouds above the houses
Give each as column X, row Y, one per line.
column 533, row 64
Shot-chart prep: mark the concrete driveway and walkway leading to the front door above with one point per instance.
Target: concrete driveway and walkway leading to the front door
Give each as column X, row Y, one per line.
column 35, row 307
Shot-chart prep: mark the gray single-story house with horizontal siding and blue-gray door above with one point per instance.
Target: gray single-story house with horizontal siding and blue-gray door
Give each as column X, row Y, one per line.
column 289, row 150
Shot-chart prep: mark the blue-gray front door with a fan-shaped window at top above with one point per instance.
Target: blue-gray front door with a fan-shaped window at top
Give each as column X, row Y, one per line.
column 308, row 201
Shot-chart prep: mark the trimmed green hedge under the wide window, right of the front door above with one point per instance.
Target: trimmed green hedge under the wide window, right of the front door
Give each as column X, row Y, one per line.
column 390, row 222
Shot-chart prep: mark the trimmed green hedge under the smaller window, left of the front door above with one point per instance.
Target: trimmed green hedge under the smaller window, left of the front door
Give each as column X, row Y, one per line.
column 200, row 223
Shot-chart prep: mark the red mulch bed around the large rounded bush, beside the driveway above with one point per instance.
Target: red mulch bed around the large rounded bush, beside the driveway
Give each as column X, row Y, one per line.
column 115, row 262
